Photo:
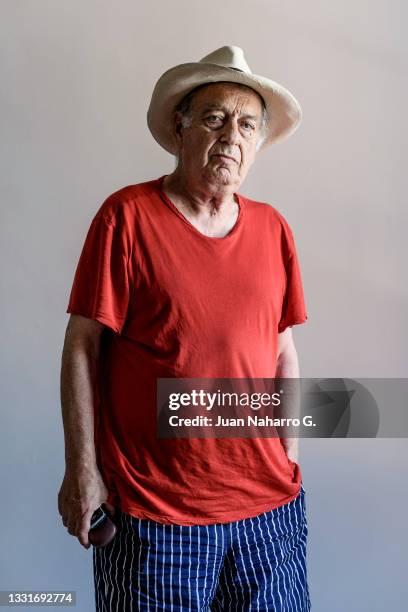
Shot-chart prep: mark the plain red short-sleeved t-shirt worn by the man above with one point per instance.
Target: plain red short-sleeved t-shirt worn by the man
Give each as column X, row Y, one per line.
column 181, row 304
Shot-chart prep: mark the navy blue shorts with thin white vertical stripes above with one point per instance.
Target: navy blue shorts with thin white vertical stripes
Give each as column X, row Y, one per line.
column 256, row 563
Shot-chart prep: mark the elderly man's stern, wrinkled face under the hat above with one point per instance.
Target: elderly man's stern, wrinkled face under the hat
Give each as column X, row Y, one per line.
column 225, row 119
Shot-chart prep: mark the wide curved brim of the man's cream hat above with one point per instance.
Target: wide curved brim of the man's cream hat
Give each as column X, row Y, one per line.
column 284, row 111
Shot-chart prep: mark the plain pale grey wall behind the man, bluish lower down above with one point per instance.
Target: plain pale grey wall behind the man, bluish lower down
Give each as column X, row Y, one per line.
column 76, row 80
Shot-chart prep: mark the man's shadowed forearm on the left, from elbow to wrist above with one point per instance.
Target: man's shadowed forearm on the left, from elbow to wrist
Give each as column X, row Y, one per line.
column 78, row 372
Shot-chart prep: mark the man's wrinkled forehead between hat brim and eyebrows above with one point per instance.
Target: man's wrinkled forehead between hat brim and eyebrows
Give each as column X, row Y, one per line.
column 225, row 94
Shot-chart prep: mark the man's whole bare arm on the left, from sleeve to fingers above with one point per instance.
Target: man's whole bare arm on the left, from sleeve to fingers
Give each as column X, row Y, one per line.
column 82, row 489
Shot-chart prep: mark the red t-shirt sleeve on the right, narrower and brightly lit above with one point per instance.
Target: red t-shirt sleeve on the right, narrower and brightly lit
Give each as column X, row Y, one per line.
column 293, row 306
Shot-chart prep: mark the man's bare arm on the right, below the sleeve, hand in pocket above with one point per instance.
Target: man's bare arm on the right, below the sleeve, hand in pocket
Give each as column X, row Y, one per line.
column 288, row 367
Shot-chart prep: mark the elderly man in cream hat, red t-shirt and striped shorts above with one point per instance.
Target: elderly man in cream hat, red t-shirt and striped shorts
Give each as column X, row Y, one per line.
column 184, row 277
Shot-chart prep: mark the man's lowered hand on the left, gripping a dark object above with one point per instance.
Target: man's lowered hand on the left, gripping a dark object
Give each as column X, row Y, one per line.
column 82, row 492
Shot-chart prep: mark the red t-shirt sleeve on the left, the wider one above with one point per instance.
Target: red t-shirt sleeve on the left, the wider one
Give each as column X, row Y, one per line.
column 101, row 284
